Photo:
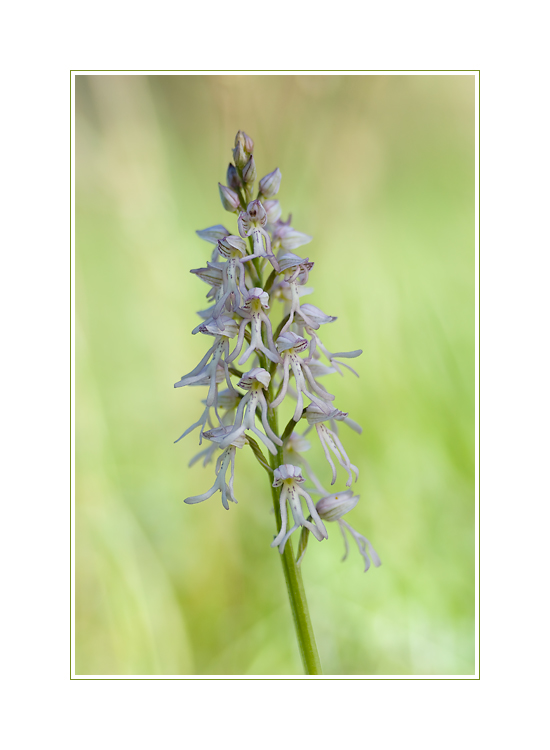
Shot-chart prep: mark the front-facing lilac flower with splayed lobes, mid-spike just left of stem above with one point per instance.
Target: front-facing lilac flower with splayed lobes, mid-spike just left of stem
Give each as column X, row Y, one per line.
column 254, row 381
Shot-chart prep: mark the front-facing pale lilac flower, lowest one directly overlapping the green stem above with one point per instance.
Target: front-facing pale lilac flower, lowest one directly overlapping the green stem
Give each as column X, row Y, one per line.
column 289, row 478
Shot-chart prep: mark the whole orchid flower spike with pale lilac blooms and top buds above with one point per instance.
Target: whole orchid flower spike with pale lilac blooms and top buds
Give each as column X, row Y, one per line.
column 238, row 319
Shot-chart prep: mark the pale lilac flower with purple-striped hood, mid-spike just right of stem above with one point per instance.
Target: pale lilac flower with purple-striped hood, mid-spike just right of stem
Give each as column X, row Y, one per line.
column 290, row 344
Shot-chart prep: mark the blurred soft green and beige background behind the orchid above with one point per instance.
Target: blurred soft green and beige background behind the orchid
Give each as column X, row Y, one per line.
column 380, row 170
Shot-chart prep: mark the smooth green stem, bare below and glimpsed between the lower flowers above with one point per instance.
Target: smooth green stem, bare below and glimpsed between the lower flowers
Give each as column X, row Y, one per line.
column 293, row 577
